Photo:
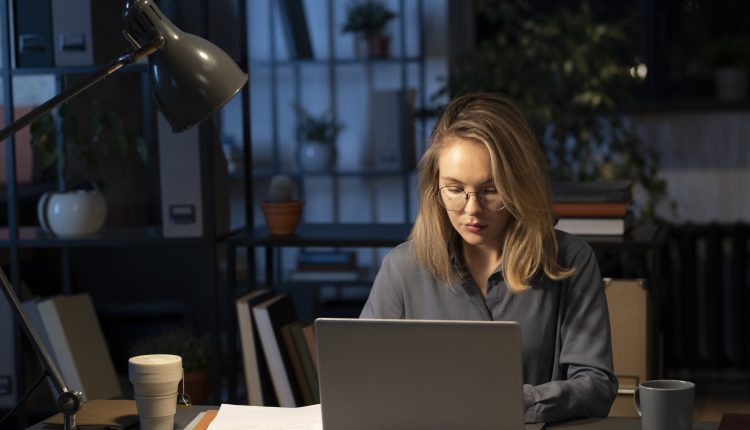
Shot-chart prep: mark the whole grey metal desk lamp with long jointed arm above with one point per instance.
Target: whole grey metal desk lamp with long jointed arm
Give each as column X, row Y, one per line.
column 191, row 78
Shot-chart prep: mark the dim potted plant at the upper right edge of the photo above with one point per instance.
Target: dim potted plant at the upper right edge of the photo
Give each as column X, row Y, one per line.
column 730, row 59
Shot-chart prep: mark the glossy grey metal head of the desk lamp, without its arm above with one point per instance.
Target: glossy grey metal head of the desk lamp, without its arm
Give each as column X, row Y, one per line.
column 191, row 77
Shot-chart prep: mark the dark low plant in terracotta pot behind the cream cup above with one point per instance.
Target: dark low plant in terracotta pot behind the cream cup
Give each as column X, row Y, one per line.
column 195, row 352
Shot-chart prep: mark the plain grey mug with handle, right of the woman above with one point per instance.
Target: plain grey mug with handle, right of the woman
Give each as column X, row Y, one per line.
column 665, row 404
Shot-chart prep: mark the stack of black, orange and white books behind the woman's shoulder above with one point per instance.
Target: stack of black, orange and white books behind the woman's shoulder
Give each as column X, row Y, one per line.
column 593, row 208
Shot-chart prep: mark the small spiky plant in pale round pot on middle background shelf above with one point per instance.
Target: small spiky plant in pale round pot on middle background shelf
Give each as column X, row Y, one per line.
column 317, row 139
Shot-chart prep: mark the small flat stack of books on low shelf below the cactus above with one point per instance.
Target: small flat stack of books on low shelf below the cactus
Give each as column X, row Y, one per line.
column 332, row 266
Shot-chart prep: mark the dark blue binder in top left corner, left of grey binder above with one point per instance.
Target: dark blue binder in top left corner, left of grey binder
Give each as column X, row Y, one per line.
column 33, row 33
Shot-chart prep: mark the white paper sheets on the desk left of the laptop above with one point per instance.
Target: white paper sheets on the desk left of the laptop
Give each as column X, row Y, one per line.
column 237, row 417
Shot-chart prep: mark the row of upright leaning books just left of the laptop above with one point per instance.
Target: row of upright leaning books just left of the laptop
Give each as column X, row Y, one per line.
column 278, row 351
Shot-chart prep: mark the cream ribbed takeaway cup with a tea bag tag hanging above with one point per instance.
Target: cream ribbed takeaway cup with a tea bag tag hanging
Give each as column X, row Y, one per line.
column 155, row 380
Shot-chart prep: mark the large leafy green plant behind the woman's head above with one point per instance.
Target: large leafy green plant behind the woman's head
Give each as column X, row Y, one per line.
column 572, row 74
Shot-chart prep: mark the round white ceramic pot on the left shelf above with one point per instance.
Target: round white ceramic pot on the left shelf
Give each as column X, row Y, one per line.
column 72, row 213
